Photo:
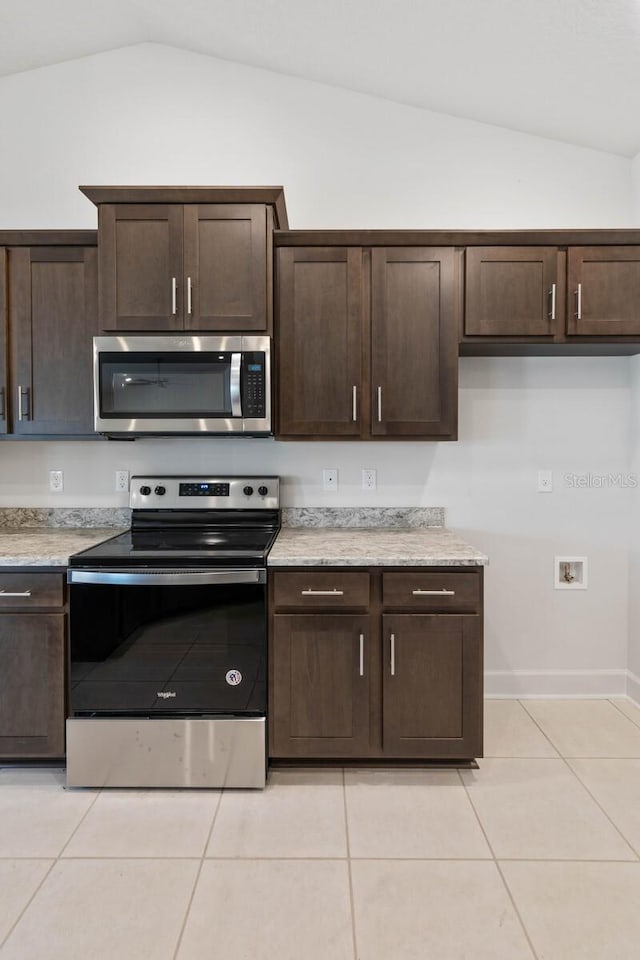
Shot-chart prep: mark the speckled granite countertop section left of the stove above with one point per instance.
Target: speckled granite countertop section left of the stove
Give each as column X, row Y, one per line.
column 47, row 546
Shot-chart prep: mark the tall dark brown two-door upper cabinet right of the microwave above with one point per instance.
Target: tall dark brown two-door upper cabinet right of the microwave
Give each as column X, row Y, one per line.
column 367, row 342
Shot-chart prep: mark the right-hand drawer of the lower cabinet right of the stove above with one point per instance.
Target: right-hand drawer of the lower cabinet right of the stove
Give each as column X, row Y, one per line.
column 432, row 591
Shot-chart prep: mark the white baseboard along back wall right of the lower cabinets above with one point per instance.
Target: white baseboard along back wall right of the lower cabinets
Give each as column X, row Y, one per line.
column 561, row 683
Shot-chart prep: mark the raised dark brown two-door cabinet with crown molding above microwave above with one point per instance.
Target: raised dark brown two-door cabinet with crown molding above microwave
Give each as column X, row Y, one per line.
column 186, row 258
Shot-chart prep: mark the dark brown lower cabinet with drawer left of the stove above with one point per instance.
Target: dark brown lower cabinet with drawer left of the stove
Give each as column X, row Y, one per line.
column 32, row 666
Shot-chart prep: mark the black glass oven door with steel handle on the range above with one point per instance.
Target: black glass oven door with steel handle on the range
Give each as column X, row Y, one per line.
column 170, row 643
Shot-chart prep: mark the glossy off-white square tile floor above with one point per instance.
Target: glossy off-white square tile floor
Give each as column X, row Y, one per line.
column 535, row 856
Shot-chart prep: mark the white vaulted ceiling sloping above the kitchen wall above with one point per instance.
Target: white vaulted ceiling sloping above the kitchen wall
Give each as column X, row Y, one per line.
column 565, row 69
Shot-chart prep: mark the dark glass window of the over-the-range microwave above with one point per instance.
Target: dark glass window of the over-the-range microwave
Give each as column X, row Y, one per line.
column 160, row 385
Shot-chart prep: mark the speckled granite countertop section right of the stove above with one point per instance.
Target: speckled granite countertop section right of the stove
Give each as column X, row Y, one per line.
column 385, row 547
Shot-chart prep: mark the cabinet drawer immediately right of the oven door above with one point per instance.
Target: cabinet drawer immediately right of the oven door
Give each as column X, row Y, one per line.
column 331, row 589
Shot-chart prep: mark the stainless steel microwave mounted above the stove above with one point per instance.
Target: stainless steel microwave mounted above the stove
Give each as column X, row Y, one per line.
column 182, row 385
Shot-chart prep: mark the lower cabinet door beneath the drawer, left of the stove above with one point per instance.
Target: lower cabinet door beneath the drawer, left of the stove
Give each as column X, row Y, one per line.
column 32, row 685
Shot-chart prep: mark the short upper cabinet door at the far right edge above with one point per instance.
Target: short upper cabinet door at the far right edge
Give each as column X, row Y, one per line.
column 604, row 291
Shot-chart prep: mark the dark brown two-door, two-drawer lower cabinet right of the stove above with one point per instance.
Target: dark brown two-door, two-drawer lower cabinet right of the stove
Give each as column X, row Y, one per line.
column 402, row 678
